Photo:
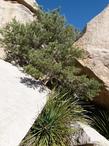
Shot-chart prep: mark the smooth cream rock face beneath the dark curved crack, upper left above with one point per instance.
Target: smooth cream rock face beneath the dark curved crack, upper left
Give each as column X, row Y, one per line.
column 10, row 10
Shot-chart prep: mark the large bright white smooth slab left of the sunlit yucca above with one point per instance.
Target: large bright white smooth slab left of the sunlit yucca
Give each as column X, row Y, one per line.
column 21, row 101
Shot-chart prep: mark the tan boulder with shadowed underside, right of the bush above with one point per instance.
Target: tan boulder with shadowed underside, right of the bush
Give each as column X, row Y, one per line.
column 95, row 41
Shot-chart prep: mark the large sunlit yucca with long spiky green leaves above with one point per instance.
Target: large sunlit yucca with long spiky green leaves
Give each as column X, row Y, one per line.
column 53, row 126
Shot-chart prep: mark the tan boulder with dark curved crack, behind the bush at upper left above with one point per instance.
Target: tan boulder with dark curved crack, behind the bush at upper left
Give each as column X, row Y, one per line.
column 21, row 10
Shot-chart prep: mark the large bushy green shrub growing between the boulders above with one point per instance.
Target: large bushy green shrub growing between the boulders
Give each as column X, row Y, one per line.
column 44, row 49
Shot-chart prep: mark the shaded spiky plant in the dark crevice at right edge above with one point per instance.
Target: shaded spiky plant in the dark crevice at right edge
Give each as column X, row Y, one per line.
column 99, row 119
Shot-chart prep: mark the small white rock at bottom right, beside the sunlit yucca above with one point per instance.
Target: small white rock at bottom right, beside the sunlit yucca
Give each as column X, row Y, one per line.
column 86, row 135
